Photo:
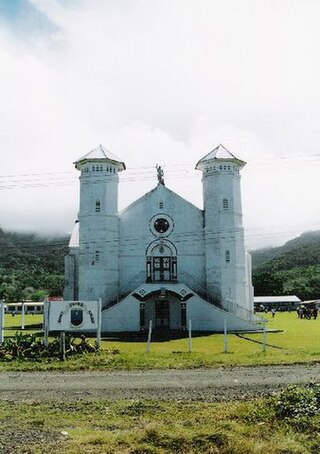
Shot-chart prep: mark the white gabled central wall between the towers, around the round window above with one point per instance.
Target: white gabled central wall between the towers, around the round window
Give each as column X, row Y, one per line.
column 186, row 236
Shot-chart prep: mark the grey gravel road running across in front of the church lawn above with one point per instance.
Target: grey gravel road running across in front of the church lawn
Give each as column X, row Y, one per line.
column 200, row 384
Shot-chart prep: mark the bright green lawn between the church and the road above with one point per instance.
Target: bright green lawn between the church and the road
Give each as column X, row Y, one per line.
column 299, row 341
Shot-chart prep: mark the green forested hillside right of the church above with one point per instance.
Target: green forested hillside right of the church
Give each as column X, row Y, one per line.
column 291, row 269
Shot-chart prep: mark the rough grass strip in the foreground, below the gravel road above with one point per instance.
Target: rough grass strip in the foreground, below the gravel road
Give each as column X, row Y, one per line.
column 150, row 426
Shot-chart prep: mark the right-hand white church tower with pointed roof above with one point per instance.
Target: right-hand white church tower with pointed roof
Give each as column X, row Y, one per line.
column 226, row 262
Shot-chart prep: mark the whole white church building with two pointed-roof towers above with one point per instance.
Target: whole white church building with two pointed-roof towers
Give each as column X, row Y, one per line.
column 162, row 258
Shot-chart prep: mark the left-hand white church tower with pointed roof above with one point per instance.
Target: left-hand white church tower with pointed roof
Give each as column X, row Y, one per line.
column 98, row 224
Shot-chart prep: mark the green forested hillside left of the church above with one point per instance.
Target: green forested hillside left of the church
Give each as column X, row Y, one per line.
column 31, row 266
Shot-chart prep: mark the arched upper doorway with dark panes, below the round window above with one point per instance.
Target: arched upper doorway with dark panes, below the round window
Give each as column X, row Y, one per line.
column 161, row 262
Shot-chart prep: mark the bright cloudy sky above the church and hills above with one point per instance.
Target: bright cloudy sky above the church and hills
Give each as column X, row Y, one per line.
column 161, row 81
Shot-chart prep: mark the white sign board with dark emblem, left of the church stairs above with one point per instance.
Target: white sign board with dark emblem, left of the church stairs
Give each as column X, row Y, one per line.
column 74, row 316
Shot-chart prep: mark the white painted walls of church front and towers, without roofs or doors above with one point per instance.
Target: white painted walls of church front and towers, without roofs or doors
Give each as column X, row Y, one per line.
column 198, row 238
